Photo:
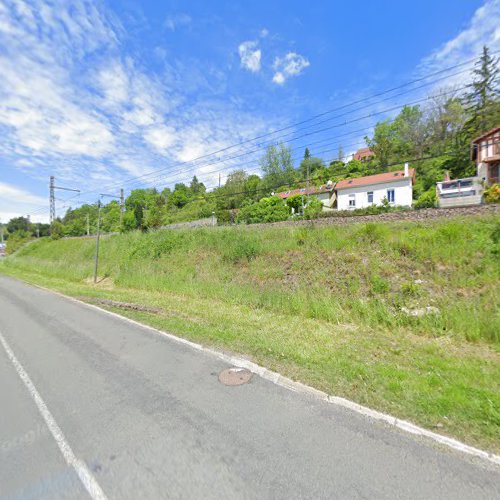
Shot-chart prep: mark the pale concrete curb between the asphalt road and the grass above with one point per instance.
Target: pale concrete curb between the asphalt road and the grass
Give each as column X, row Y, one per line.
column 299, row 387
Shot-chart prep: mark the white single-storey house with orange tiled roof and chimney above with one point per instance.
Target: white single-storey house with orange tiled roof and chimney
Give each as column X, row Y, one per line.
column 396, row 187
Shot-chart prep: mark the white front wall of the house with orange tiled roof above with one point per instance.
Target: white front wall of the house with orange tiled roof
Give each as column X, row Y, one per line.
column 402, row 192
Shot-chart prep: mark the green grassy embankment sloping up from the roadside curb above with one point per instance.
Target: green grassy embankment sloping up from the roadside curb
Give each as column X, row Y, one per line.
column 321, row 305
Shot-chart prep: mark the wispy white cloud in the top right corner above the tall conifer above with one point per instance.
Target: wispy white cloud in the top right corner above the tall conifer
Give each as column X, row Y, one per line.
column 483, row 29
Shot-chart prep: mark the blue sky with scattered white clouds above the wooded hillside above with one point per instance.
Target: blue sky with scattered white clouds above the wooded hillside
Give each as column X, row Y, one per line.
column 101, row 94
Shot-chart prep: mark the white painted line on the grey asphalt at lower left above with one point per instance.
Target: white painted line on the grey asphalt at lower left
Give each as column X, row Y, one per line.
column 86, row 477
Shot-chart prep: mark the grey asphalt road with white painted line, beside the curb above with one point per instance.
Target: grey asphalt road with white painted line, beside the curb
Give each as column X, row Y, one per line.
column 94, row 406
